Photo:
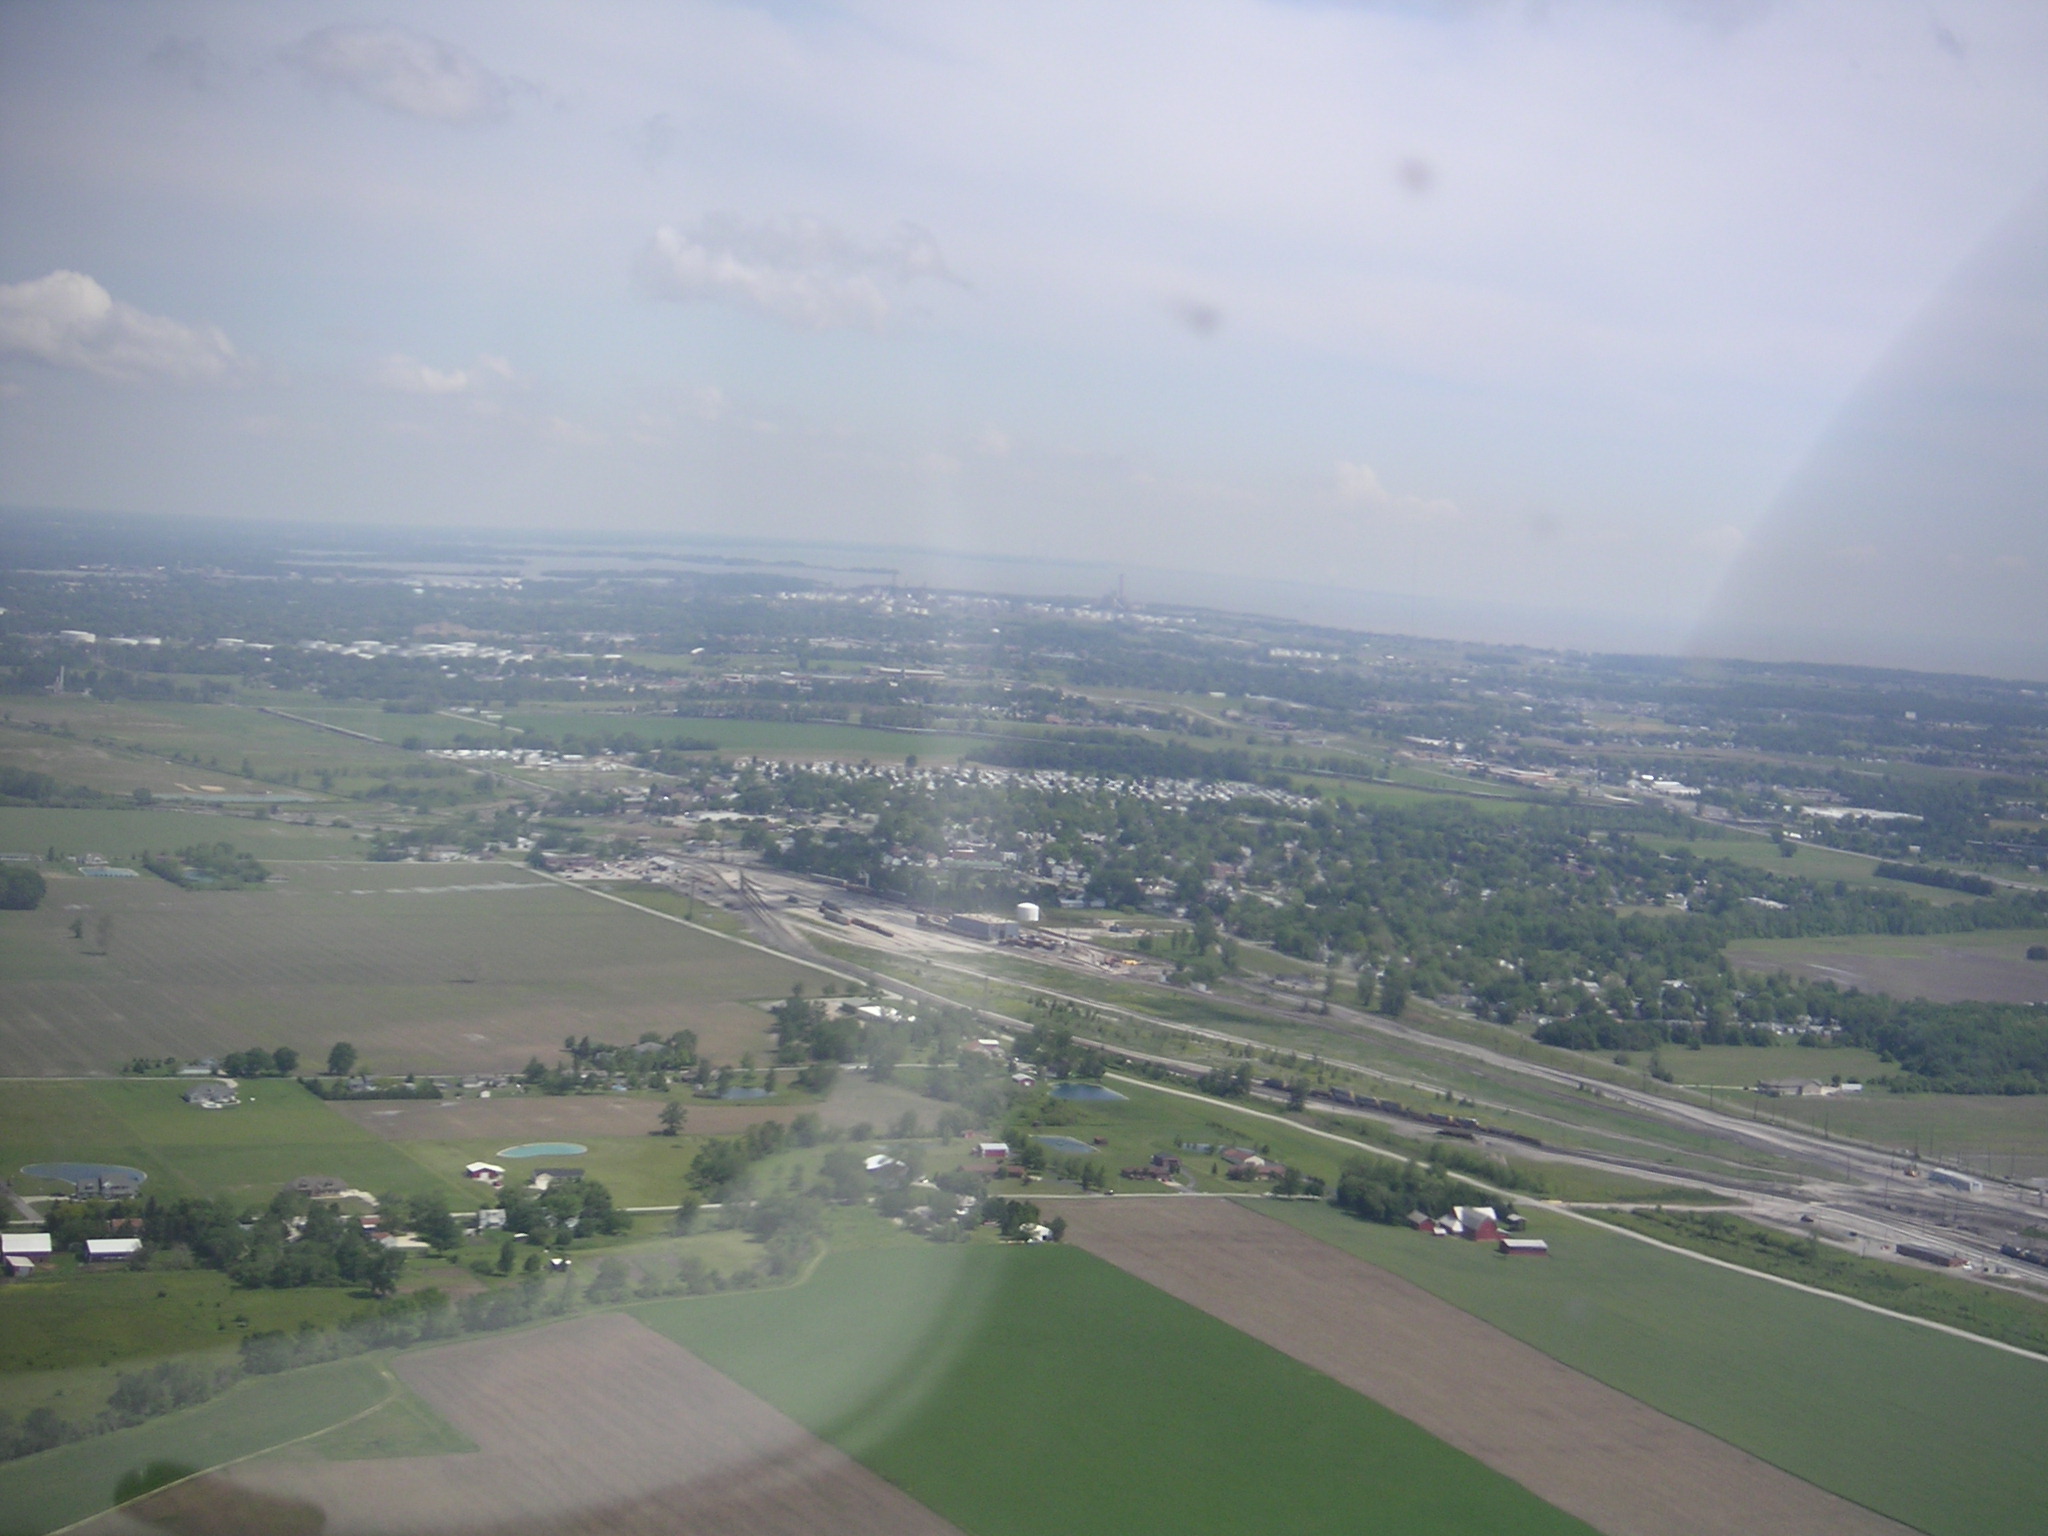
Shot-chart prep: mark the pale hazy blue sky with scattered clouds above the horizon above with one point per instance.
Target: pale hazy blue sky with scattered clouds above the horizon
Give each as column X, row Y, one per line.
column 1584, row 323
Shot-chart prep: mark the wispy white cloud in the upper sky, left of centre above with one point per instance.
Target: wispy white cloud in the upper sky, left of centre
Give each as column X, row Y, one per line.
column 802, row 271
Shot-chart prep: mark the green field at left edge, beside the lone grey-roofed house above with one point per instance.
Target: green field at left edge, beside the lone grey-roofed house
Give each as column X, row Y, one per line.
column 249, row 1152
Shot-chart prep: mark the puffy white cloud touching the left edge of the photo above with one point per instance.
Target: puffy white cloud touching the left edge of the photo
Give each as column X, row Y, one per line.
column 71, row 323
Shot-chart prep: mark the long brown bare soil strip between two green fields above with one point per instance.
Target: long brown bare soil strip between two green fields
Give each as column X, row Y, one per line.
column 1568, row 1439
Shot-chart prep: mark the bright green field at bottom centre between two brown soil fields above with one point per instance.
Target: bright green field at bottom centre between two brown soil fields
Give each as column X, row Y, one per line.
column 1136, row 1412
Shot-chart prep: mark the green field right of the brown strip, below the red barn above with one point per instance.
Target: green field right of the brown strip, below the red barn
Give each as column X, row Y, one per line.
column 1926, row 1428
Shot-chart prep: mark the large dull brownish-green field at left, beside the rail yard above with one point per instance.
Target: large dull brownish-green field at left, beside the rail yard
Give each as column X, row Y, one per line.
column 425, row 968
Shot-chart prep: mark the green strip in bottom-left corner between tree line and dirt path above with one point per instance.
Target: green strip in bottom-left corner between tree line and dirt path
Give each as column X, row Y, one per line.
column 65, row 1486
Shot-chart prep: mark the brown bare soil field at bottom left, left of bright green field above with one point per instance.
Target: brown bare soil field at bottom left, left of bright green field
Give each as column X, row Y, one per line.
column 587, row 1428
